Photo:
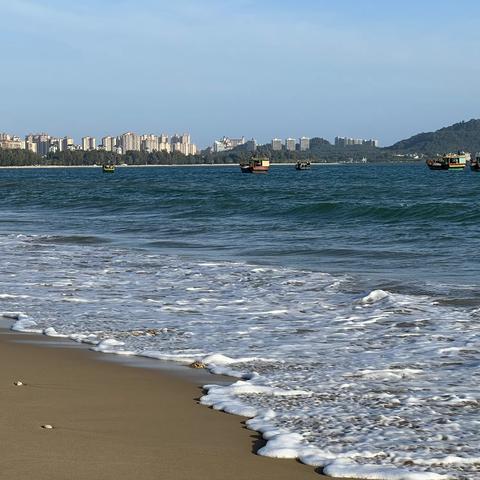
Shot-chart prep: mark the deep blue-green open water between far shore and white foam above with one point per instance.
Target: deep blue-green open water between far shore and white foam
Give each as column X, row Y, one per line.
column 400, row 227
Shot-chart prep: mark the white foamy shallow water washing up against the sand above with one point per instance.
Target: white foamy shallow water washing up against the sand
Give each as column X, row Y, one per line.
column 378, row 385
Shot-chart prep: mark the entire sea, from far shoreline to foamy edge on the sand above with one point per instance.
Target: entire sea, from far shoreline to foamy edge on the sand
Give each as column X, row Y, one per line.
column 344, row 299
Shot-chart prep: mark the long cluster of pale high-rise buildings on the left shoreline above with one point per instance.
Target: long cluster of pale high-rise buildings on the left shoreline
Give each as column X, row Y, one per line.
column 43, row 143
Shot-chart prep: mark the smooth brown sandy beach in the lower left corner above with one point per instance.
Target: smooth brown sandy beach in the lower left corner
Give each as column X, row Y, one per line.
column 113, row 421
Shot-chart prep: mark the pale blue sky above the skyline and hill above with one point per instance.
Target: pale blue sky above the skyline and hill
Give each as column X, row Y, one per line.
column 380, row 69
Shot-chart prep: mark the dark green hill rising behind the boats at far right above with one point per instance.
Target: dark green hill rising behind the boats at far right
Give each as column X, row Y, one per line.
column 461, row 136
